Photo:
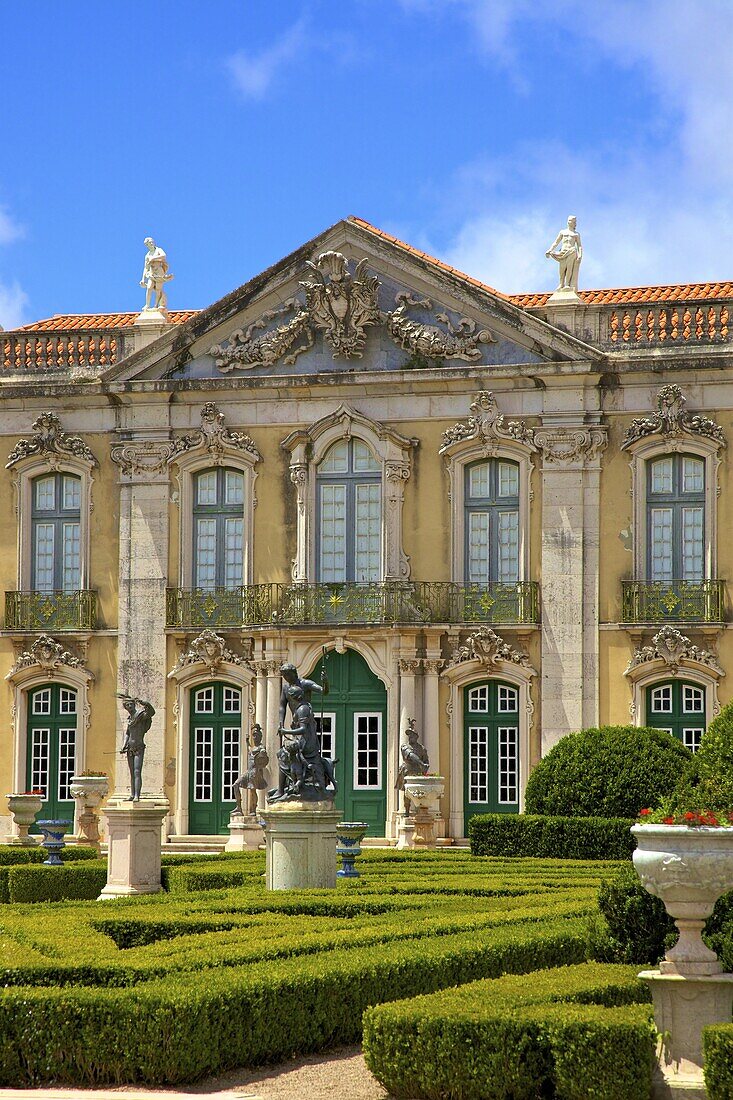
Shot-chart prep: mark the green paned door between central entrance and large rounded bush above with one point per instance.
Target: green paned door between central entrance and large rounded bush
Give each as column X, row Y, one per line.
column 491, row 750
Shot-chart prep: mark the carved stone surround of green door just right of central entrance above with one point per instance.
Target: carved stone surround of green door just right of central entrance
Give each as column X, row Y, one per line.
column 498, row 662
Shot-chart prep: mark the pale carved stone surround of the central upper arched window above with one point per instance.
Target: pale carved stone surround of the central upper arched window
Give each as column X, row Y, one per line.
column 308, row 448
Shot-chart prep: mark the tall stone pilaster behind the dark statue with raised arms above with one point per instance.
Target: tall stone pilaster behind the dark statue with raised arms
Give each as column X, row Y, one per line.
column 144, row 575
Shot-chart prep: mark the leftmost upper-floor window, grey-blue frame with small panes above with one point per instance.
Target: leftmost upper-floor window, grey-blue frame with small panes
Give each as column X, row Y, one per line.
column 57, row 533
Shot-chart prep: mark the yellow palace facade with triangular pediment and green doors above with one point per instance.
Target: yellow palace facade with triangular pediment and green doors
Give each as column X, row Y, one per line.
column 505, row 518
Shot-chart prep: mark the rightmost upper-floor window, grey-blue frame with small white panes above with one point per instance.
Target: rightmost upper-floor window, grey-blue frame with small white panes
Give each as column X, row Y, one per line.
column 676, row 519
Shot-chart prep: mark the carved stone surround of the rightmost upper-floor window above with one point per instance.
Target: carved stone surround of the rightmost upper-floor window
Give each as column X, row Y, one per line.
column 673, row 430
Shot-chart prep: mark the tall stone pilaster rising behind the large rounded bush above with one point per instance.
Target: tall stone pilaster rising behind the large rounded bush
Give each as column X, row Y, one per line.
column 572, row 459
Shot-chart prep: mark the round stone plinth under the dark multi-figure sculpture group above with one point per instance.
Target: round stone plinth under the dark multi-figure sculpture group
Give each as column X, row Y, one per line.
column 301, row 845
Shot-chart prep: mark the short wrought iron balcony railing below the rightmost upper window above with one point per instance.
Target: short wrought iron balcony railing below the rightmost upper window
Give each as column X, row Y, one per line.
column 673, row 601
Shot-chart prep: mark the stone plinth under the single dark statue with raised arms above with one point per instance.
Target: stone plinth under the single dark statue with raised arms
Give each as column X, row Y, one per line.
column 134, row 862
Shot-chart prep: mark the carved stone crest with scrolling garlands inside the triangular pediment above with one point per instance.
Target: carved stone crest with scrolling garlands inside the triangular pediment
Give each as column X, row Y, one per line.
column 343, row 306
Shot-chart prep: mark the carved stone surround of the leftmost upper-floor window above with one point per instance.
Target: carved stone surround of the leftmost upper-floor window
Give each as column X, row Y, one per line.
column 50, row 450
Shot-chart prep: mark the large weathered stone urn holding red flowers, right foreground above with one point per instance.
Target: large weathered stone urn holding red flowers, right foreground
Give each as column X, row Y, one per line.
column 690, row 868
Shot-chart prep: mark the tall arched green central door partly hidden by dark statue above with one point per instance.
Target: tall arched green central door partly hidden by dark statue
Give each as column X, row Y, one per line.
column 354, row 733
